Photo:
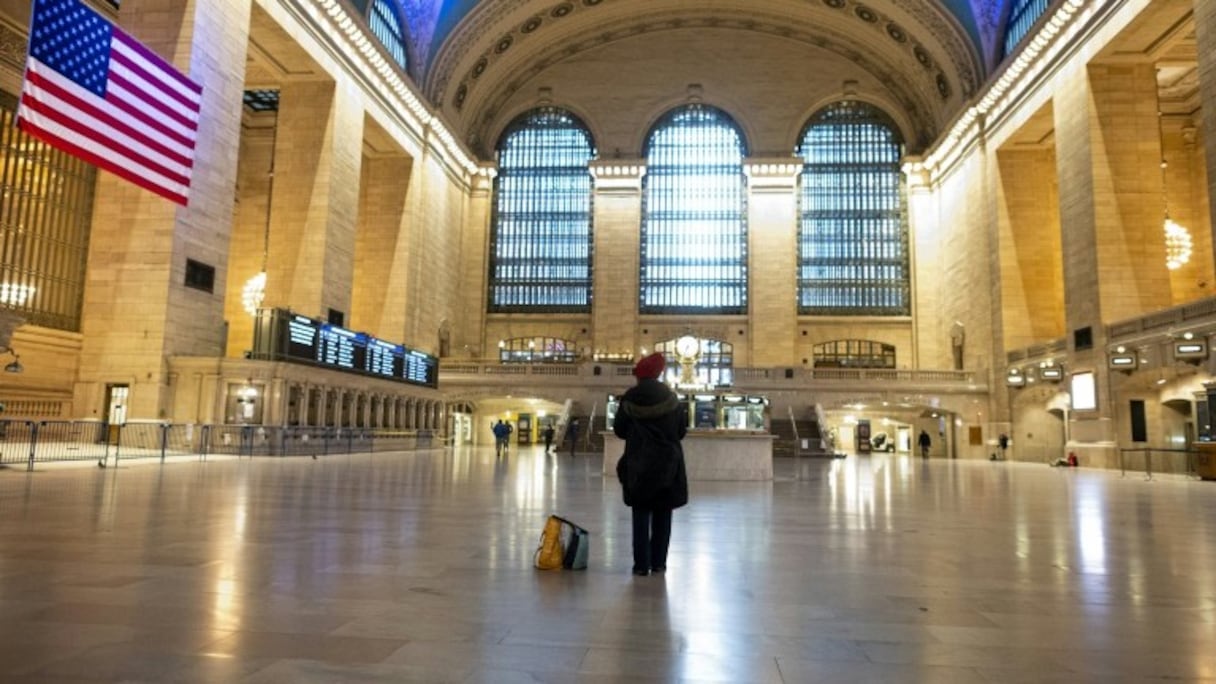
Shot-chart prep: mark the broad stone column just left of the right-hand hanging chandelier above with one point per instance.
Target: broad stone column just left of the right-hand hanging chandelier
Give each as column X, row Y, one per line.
column 1108, row 165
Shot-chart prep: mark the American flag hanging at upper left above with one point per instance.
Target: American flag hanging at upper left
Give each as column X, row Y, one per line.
column 97, row 93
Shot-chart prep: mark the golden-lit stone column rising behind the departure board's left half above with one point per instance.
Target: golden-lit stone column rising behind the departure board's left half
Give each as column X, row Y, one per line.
column 316, row 208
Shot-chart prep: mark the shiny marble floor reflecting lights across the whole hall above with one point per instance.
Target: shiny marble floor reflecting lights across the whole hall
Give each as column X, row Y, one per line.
column 418, row 568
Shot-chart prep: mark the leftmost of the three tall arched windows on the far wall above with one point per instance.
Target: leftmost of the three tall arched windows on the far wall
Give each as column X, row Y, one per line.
column 541, row 251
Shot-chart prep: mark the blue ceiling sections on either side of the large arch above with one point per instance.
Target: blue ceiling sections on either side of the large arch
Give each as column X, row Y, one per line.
column 432, row 21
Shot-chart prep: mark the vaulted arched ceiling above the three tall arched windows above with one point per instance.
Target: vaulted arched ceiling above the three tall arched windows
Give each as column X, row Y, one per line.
column 621, row 63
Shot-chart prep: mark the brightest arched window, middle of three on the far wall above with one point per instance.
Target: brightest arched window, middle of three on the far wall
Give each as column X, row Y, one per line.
column 695, row 236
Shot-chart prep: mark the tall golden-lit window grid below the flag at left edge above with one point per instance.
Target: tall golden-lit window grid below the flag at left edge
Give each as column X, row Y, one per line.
column 46, row 212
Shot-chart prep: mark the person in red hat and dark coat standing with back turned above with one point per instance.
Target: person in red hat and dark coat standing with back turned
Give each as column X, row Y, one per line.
column 652, row 422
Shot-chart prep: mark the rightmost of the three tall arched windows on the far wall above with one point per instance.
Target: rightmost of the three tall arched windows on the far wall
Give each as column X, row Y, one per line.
column 853, row 238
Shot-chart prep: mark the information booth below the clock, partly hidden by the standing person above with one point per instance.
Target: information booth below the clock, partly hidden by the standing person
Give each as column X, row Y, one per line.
column 728, row 436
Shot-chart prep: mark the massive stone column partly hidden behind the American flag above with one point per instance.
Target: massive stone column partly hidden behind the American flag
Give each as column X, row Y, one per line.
column 137, row 310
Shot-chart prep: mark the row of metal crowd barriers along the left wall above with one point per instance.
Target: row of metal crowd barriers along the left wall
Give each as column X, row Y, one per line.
column 32, row 442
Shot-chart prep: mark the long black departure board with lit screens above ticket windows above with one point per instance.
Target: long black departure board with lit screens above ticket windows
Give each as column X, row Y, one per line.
column 283, row 335
